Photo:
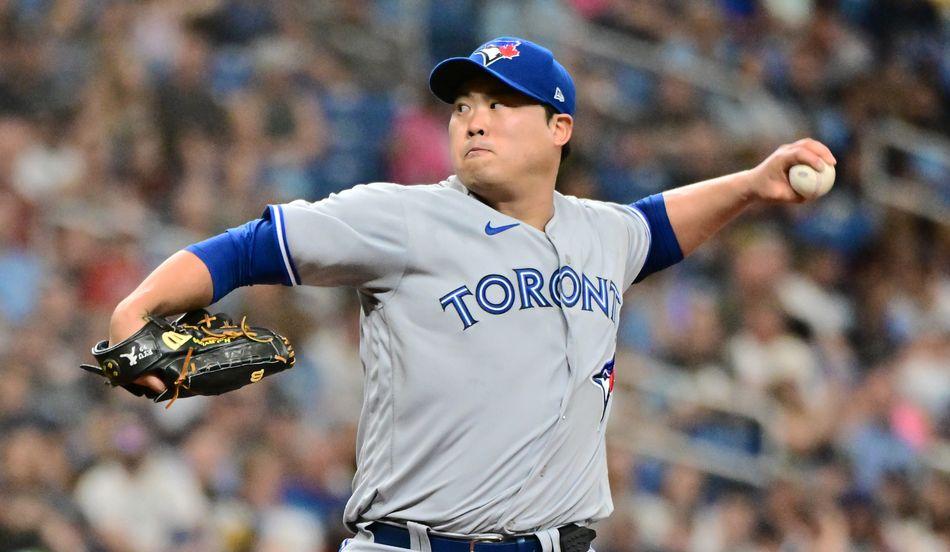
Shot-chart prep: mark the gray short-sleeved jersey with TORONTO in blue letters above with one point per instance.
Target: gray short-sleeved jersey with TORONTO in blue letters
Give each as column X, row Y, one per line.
column 487, row 347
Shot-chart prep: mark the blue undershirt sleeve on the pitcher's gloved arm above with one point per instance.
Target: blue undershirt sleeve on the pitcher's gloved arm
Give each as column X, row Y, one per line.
column 242, row 256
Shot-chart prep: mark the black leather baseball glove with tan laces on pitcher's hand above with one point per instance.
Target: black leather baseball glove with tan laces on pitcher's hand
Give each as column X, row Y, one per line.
column 197, row 354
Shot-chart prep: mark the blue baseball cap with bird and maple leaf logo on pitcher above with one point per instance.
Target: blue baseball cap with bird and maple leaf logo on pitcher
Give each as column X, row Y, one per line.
column 521, row 64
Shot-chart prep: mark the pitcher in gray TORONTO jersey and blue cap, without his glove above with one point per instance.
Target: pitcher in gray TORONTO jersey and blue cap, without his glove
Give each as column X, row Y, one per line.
column 490, row 307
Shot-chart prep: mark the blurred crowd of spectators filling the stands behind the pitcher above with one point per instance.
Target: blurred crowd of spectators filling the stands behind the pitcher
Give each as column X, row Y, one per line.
column 131, row 129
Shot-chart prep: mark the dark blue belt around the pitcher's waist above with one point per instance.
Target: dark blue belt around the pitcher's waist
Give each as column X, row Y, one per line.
column 573, row 538
